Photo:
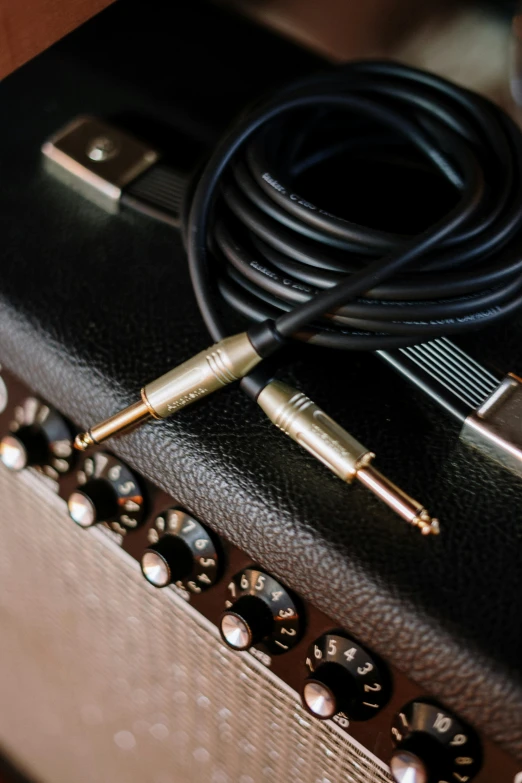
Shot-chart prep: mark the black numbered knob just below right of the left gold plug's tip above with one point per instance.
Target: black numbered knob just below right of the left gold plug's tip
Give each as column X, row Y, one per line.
column 108, row 492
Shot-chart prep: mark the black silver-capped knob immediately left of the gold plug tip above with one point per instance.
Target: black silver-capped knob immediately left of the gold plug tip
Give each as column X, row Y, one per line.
column 38, row 437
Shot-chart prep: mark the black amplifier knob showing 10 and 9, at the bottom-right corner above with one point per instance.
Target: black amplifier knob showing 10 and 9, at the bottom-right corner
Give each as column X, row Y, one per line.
column 433, row 746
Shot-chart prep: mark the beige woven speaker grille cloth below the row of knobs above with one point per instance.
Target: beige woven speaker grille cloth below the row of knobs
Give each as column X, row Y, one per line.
column 104, row 678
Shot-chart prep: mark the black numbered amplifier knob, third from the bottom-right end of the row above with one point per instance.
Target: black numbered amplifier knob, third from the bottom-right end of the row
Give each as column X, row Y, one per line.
column 260, row 610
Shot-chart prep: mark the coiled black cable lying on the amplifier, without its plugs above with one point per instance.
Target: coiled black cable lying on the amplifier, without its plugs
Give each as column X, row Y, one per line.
column 273, row 254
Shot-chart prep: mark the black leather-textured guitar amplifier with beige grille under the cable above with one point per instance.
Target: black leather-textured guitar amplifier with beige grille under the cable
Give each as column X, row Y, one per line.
column 104, row 676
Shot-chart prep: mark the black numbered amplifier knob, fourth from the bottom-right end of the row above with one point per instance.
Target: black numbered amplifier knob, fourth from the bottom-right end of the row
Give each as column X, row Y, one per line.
column 182, row 552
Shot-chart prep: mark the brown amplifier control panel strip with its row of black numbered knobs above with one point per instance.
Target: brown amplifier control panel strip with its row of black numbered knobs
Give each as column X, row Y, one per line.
column 337, row 676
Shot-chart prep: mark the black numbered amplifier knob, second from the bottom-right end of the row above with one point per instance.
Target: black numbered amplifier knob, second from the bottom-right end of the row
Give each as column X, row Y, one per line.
column 345, row 681
